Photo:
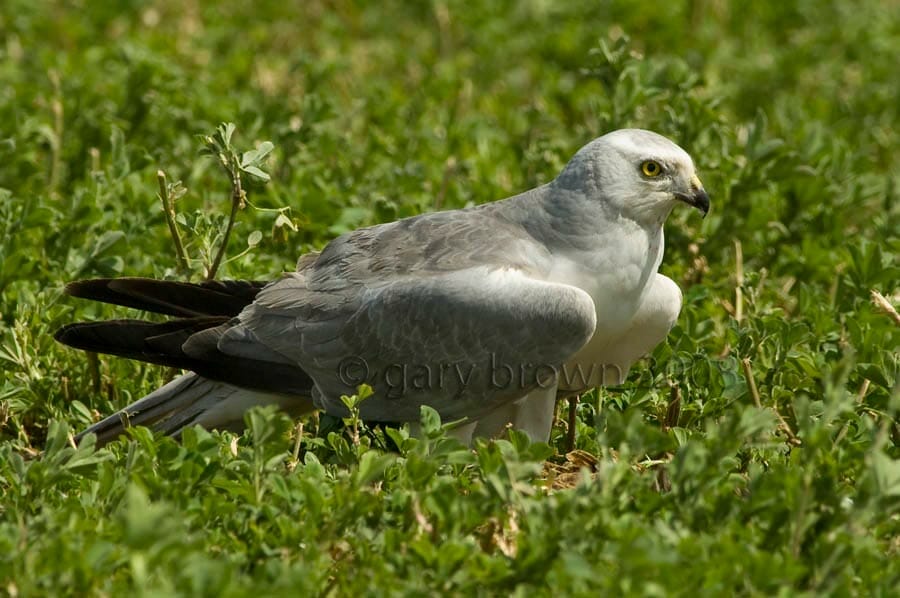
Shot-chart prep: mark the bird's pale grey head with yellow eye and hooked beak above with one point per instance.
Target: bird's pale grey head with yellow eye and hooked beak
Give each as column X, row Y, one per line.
column 636, row 174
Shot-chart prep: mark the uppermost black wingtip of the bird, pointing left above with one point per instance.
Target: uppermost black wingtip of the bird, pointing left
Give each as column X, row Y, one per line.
column 171, row 298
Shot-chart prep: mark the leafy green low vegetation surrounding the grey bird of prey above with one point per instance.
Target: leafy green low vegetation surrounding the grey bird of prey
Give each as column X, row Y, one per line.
column 754, row 453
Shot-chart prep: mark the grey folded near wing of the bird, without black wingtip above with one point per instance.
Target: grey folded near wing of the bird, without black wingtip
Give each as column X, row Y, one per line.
column 461, row 342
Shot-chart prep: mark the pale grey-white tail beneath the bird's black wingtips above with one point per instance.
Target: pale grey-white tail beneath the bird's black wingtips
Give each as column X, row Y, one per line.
column 193, row 400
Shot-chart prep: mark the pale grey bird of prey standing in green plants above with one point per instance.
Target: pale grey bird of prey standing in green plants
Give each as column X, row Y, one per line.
column 483, row 313
